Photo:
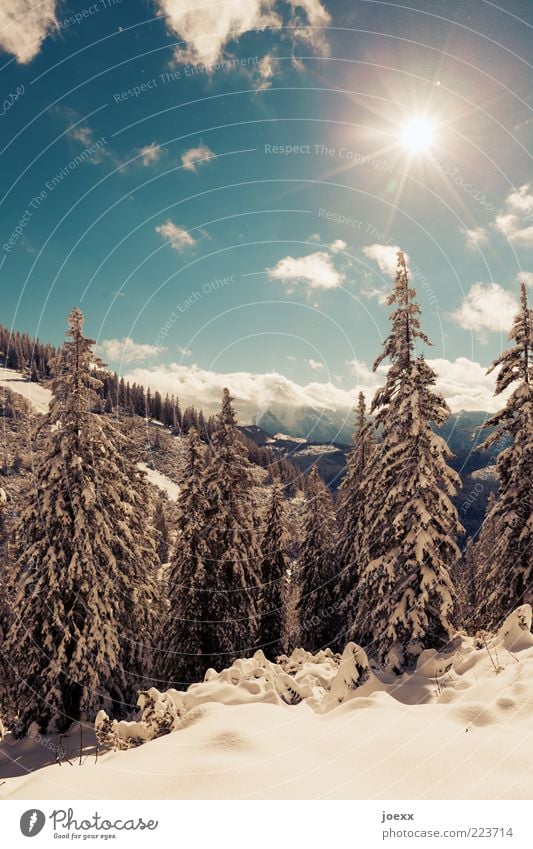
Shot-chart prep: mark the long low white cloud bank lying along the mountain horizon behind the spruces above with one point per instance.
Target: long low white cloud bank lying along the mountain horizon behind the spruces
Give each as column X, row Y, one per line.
column 463, row 382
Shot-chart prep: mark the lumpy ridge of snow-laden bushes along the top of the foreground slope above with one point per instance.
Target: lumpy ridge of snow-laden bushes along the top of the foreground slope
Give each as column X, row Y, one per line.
column 462, row 678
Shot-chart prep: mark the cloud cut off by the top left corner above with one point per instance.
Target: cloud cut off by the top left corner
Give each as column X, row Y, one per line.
column 24, row 24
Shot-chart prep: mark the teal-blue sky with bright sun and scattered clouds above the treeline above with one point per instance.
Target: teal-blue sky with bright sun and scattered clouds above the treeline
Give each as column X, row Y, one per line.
column 222, row 187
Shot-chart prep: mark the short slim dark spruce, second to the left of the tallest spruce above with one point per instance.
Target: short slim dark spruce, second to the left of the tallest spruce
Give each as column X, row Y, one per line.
column 316, row 571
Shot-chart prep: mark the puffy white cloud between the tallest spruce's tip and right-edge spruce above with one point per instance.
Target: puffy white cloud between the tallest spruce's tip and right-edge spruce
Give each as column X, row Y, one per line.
column 486, row 307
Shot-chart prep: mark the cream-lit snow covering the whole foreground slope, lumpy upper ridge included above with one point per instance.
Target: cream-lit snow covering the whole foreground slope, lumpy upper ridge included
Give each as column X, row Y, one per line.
column 455, row 728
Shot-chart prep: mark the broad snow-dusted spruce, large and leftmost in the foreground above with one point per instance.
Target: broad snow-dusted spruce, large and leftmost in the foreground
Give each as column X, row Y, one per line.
column 84, row 581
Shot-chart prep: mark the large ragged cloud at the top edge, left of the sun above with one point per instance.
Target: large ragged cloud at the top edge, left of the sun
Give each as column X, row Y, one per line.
column 209, row 28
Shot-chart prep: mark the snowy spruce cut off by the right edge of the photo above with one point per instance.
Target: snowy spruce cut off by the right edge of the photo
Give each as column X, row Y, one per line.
column 508, row 570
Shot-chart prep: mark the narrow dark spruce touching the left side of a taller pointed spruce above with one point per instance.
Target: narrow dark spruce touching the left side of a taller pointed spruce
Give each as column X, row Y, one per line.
column 184, row 641
